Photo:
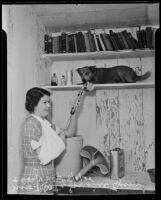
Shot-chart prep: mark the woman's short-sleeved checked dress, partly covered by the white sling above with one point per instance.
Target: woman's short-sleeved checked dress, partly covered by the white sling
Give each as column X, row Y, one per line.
column 35, row 178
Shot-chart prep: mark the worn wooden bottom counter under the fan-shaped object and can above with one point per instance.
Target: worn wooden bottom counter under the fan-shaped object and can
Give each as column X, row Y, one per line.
column 131, row 181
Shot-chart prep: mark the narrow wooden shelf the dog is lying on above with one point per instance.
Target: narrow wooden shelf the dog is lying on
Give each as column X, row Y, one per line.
column 137, row 85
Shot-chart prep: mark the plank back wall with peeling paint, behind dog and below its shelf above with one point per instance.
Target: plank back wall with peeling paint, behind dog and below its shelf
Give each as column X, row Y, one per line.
column 113, row 118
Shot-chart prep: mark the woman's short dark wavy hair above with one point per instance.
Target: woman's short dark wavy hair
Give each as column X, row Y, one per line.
column 33, row 97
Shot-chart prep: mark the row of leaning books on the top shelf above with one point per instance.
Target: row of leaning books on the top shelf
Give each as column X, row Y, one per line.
column 91, row 41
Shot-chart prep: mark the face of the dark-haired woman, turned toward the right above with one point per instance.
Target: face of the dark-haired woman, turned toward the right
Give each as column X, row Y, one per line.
column 42, row 109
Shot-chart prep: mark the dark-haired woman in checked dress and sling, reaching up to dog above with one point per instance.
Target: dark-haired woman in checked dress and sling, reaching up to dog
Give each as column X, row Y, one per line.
column 42, row 142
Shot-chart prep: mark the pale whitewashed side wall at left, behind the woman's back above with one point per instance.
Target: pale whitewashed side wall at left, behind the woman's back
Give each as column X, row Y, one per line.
column 25, row 69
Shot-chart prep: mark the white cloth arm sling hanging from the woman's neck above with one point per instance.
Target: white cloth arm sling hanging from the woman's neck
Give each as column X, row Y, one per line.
column 51, row 144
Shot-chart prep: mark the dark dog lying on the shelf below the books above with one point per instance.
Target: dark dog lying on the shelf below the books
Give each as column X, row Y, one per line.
column 116, row 74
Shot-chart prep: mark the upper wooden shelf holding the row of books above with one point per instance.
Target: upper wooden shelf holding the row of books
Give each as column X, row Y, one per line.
column 99, row 55
